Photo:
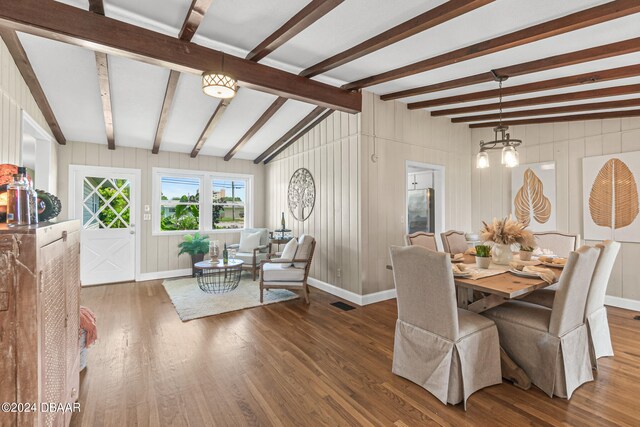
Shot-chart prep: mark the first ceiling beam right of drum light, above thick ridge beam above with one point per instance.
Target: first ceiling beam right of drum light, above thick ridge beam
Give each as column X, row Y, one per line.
column 315, row 10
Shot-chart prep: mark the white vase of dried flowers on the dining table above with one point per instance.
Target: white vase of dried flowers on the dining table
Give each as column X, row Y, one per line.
column 504, row 233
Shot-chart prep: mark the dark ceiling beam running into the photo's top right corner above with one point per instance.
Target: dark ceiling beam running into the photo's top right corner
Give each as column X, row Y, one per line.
column 565, row 24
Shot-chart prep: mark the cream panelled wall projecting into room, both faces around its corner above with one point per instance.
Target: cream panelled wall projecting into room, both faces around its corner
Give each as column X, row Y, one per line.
column 360, row 205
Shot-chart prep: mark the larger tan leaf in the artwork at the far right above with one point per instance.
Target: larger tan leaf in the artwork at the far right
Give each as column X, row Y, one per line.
column 613, row 201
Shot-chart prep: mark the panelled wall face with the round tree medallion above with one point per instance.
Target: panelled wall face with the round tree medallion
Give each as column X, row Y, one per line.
column 331, row 152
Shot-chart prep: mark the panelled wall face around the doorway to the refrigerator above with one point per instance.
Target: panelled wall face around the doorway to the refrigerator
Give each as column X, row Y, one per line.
column 397, row 135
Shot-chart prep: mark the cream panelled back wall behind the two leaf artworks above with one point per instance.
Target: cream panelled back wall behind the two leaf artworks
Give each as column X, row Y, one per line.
column 567, row 144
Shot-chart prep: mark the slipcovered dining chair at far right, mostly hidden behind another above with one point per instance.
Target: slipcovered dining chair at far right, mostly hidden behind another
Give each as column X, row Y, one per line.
column 595, row 312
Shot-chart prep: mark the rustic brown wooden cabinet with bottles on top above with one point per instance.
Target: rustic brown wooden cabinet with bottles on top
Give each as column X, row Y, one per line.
column 39, row 320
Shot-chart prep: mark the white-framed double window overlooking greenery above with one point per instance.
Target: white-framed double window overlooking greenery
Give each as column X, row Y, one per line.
column 187, row 201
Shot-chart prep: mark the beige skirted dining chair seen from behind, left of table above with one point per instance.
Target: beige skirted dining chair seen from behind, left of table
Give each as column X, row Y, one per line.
column 446, row 350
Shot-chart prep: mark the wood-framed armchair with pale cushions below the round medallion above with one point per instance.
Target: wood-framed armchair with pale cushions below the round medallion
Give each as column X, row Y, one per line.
column 290, row 271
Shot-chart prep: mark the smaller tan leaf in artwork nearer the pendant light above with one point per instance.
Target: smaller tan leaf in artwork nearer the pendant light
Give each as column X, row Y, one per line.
column 531, row 201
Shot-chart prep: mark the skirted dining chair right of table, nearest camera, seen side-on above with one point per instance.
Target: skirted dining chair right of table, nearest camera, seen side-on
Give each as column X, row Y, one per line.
column 551, row 345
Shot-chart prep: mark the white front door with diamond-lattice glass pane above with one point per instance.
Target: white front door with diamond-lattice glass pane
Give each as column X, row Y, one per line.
column 104, row 200
